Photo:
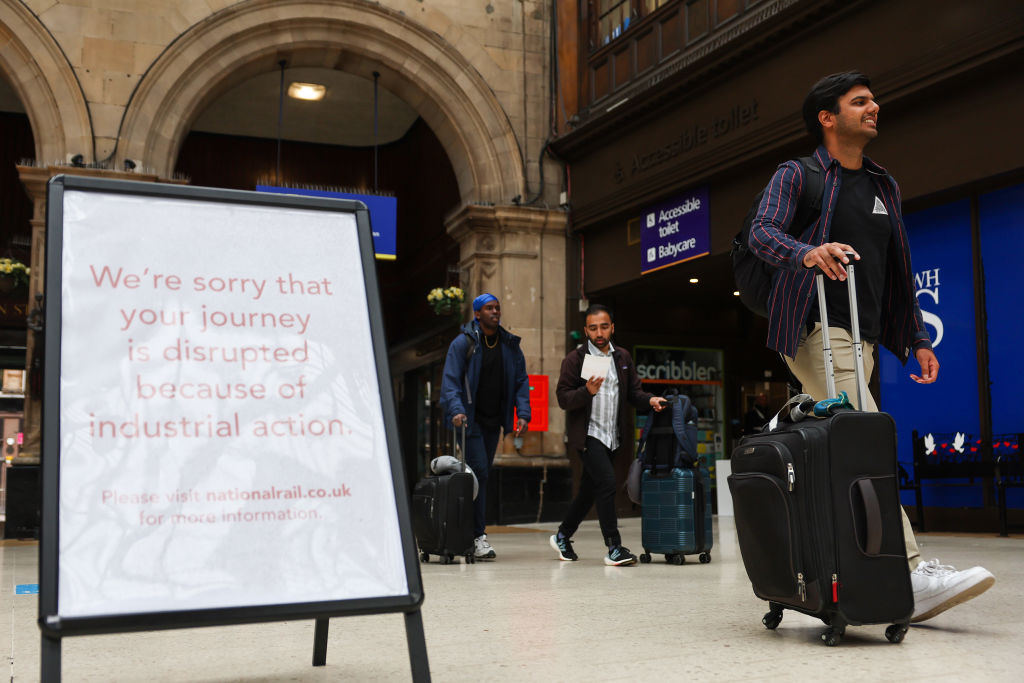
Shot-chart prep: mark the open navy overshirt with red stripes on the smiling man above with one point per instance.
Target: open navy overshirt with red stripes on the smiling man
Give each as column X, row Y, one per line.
column 793, row 289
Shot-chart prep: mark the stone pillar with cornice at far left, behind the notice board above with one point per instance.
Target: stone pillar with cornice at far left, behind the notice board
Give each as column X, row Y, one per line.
column 35, row 181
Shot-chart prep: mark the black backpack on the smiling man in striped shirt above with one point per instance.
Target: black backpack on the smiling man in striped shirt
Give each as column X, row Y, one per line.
column 754, row 277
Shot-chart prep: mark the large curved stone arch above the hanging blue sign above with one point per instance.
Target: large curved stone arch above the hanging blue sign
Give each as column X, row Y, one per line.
column 415, row 64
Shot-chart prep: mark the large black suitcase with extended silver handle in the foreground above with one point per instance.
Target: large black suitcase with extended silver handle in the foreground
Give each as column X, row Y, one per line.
column 819, row 518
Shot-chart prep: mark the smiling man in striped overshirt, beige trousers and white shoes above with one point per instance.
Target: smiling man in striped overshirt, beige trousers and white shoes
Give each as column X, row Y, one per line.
column 862, row 212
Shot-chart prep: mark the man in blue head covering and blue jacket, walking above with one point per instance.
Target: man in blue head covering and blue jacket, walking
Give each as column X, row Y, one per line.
column 485, row 379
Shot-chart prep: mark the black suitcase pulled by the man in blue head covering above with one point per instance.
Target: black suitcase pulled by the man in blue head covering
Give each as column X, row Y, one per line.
column 443, row 513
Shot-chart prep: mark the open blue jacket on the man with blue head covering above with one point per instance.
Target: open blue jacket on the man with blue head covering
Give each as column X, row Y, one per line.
column 462, row 377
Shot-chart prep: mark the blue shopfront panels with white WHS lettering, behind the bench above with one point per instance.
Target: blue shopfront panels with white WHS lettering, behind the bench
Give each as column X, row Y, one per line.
column 945, row 280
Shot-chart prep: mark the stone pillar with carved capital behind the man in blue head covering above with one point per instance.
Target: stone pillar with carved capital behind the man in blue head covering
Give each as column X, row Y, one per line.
column 519, row 254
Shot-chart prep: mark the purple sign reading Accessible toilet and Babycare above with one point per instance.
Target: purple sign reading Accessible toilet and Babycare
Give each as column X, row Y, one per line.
column 675, row 232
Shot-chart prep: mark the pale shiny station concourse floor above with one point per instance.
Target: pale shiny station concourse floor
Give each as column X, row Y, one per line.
column 528, row 617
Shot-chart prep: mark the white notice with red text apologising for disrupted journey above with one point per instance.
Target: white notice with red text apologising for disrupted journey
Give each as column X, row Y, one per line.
column 223, row 441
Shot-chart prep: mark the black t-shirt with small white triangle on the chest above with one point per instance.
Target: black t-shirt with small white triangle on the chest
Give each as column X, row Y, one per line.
column 862, row 221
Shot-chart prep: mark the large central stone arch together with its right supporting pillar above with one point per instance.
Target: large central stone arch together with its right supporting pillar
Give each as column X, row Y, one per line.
column 438, row 79
